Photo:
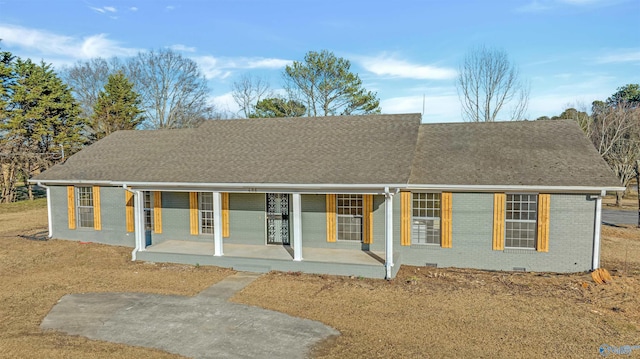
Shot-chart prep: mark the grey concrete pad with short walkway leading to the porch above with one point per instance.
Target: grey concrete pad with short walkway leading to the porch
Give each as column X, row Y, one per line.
column 204, row 326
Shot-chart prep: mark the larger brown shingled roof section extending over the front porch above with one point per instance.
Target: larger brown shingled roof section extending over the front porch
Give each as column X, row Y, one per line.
column 375, row 149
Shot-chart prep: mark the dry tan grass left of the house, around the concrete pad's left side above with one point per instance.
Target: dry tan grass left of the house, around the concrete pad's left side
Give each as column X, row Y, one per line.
column 36, row 274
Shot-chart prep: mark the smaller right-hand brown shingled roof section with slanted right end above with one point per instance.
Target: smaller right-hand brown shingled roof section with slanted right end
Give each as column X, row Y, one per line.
column 526, row 153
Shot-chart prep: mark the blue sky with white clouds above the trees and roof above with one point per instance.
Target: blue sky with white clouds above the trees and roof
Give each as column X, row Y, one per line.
column 571, row 51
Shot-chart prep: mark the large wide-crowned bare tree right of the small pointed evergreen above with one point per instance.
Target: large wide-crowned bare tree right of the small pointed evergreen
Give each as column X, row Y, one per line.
column 173, row 90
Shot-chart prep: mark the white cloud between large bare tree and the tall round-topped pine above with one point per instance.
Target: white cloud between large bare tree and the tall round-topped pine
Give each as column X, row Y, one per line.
column 221, row 68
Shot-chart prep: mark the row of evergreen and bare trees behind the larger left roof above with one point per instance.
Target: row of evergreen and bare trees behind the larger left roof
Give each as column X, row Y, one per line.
column 46, row 116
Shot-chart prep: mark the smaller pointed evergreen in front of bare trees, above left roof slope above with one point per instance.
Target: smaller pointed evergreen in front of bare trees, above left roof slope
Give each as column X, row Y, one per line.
column 117, row 108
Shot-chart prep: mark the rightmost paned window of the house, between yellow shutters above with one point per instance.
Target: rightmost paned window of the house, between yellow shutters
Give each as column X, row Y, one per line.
column 520, row 221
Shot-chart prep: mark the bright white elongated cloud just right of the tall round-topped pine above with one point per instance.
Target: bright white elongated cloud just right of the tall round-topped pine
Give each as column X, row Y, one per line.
column 388, row 66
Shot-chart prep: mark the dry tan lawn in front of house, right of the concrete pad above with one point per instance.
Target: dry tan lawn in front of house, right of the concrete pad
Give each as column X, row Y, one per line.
column 456, row 313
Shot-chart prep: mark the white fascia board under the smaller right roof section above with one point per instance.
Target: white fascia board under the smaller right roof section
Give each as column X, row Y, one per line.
column 512, row 188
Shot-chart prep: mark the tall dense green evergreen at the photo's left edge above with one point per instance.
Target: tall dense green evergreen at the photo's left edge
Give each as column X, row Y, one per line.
column 39, row 122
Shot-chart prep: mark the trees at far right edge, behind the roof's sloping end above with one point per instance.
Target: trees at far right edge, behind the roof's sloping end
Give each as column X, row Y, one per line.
column 614, row 128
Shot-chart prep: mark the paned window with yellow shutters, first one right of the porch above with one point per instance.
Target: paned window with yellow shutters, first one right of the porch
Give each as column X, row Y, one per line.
column 425, row 221
